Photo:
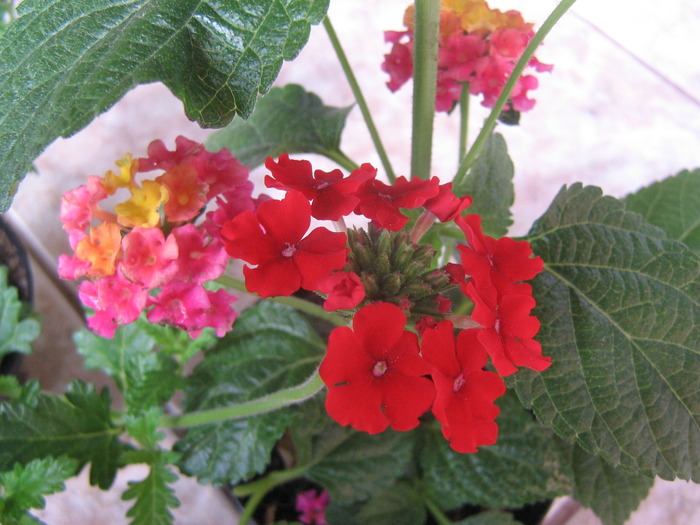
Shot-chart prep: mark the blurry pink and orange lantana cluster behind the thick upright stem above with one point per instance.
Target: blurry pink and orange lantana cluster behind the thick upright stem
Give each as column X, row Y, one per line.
column 478, row 49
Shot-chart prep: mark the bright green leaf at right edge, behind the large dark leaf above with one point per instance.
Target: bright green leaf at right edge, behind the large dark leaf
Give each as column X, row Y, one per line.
column 672, row 204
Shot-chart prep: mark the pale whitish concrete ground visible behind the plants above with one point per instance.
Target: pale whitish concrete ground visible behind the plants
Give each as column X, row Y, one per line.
column 620, row 110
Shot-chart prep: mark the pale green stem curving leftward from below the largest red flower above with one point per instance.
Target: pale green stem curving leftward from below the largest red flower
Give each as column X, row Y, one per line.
column 262, row 405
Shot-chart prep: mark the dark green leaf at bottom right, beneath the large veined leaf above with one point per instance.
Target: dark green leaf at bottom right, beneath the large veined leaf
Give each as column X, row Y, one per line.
column 611, row 493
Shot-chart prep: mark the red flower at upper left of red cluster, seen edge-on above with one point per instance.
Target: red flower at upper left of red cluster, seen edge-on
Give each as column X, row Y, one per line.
column 332, row 195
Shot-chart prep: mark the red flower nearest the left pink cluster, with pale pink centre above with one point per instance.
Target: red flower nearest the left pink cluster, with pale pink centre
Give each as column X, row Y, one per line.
column 273, row 239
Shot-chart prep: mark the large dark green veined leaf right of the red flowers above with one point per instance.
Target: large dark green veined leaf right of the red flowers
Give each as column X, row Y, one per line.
column 618, row 303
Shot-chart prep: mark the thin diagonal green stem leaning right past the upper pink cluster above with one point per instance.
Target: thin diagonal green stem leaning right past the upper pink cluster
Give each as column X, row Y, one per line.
column 490, row 122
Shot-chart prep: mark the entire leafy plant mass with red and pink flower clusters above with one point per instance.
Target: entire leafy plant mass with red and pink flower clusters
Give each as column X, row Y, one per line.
column 404, row 359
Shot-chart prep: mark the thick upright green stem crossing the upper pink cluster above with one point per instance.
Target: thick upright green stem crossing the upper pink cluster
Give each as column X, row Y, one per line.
column 425, row 53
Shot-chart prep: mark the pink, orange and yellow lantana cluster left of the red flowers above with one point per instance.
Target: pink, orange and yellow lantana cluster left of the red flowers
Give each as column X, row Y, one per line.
column 159, row 246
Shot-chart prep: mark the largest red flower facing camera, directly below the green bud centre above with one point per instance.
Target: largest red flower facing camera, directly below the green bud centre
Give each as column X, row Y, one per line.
column 374, row 372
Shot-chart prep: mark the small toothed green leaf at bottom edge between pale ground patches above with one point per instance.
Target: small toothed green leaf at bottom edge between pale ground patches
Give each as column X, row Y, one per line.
column 154, row 497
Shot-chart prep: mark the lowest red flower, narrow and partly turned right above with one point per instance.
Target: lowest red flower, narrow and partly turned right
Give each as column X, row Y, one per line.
column 465, row 393
